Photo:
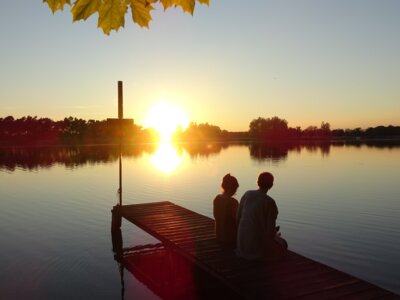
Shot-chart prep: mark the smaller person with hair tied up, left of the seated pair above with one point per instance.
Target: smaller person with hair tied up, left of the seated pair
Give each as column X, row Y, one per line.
column 225, row 210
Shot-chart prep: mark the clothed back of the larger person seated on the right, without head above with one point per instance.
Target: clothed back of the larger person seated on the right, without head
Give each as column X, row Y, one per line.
column 255, row 227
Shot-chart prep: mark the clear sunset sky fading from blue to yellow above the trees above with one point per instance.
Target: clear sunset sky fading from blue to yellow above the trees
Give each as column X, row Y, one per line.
column 305, row 61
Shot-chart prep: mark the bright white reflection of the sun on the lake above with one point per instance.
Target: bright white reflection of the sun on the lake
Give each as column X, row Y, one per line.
column 166, row 158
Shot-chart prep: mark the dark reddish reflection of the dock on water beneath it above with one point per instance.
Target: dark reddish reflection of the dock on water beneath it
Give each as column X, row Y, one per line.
column 165, row 272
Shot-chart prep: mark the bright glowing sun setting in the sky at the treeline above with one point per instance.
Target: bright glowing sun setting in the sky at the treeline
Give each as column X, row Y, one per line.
column 165, row 118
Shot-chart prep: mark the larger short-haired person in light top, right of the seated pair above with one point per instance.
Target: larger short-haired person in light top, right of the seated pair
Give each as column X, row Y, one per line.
column 258, row 237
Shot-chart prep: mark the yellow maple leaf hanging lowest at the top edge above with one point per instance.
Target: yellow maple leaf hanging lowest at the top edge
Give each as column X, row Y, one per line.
column 112, row 15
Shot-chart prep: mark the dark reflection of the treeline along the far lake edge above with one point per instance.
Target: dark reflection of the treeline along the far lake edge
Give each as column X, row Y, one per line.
column 31, row 158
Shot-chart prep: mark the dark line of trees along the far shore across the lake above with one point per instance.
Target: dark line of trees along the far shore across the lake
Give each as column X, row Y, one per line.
column 34, row 130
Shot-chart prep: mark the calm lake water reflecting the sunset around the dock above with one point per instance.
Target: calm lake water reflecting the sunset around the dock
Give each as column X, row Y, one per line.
column 339, row 204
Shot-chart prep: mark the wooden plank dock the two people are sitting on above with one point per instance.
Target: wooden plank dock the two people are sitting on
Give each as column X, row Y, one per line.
column 192, row 236
